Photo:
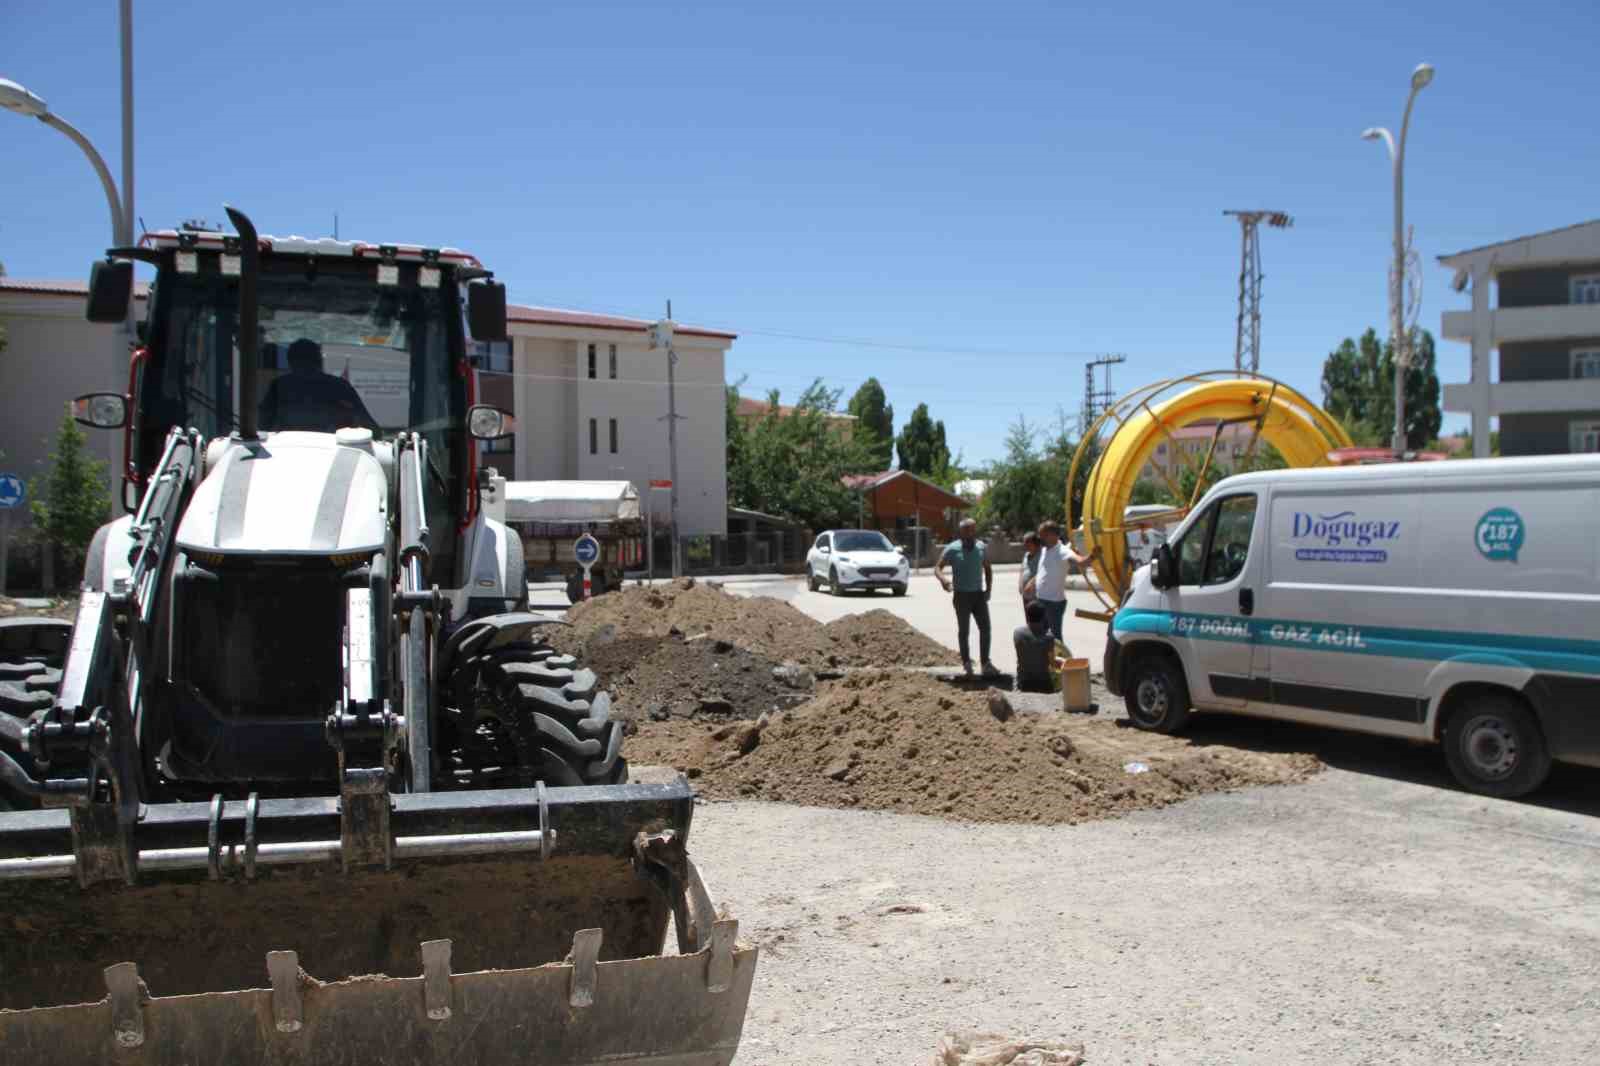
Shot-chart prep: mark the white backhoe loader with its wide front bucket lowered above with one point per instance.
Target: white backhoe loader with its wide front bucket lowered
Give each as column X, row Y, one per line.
column 303, row 783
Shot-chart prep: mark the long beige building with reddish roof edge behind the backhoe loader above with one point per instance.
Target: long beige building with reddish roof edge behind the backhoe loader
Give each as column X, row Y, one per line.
column 590, row 396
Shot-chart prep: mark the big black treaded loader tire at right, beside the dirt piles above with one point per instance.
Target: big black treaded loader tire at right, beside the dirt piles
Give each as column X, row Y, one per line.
column 540, row 713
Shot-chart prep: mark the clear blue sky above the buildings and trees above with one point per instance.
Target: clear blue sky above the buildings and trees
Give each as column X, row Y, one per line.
column 980, row 193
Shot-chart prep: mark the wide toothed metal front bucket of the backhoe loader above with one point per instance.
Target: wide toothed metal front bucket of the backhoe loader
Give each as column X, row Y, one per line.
column 516, row 926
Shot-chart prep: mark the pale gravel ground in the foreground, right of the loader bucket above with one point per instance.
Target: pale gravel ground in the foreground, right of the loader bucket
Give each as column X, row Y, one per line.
column 1359, row 918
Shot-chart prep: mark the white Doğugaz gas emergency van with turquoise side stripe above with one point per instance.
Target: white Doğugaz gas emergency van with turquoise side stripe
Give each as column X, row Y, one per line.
column 1454, row 603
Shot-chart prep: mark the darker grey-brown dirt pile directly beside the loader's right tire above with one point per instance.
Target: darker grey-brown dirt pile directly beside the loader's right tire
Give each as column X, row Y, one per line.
column 660, row 678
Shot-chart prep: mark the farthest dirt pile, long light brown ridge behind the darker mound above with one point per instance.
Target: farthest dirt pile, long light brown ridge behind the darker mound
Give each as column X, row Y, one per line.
column 761, row 625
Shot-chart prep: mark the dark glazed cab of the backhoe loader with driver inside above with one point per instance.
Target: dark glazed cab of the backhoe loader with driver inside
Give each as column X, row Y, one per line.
column 348, row 335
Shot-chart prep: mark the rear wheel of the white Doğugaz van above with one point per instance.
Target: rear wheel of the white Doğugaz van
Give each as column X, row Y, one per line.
column 1494, row 747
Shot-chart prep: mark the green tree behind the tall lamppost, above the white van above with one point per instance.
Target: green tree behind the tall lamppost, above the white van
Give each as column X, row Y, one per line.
column 1358, row 388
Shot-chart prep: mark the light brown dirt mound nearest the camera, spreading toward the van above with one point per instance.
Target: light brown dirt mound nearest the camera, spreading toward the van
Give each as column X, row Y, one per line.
column 908, row 743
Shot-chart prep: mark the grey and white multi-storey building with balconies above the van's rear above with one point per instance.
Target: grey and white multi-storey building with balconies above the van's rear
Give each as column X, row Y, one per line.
column 1545, row 321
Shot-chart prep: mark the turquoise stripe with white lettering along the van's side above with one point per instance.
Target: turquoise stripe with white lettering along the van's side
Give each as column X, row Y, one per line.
column 1490, row 649
